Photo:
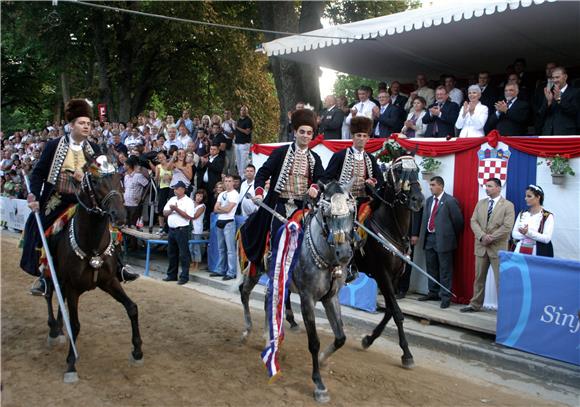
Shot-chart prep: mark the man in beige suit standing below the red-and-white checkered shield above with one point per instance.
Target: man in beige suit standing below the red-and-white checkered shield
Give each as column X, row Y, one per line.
column 491, row 223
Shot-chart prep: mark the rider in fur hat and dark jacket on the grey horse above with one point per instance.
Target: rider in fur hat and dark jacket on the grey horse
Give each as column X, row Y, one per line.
column 293, row 171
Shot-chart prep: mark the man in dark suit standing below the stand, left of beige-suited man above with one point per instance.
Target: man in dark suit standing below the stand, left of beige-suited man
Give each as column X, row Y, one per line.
column 442, row 221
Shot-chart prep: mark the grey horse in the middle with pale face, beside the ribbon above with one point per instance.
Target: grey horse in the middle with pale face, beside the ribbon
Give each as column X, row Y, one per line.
column 325, row 252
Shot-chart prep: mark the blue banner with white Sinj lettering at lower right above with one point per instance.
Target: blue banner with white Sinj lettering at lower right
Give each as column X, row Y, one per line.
column 539, row 306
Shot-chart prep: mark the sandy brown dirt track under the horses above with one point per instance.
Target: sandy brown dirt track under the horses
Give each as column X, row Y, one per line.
column 193, row 357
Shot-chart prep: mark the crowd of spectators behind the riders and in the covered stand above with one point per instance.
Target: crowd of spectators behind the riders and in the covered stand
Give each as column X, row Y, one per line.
column 208, row 156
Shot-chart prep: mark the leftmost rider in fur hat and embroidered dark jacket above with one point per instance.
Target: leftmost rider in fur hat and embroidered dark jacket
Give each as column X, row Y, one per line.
column 53, row 182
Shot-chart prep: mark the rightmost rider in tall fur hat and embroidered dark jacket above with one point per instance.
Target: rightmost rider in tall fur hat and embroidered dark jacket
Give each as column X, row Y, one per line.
column 355, row 164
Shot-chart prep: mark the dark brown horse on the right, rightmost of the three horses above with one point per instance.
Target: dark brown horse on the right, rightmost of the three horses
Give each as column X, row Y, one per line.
column 391, row 218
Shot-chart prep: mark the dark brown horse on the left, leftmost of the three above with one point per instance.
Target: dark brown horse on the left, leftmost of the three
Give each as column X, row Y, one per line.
column 84, row 256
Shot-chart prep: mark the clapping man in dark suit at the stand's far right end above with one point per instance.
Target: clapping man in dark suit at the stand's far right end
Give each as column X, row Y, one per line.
column 561, row 107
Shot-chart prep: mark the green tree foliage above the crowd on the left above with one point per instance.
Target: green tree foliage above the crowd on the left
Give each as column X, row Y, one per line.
column 133, row 63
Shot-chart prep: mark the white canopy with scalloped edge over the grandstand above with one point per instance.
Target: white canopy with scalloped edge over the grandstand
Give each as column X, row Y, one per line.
column 459, row 37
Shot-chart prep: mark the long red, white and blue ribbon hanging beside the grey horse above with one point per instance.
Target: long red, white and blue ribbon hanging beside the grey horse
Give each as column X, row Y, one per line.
column 285, row 255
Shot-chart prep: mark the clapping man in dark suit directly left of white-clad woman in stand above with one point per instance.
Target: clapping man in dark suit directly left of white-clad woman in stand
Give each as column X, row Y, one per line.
column 442, row 115
